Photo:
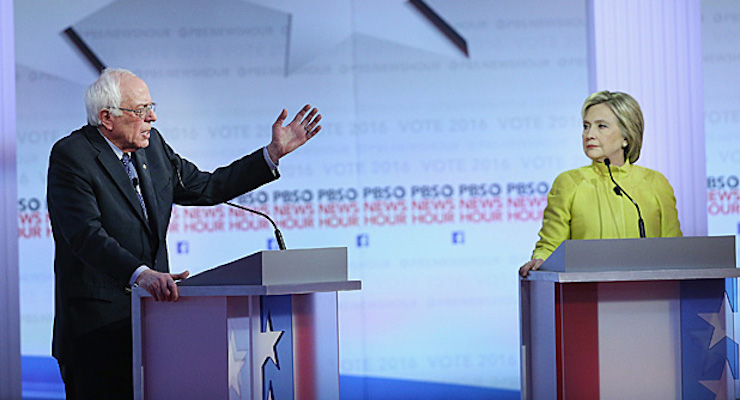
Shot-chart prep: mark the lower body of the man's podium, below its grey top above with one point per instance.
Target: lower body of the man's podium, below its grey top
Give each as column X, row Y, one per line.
column 237, row 347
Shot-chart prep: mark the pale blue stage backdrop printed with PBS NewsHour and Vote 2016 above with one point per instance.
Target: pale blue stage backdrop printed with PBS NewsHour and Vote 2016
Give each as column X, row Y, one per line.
column 439, row 146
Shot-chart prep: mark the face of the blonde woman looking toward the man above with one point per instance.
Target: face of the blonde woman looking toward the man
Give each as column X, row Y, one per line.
column 602, row 137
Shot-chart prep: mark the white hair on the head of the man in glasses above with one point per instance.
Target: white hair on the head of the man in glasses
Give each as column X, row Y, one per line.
column 105, row 93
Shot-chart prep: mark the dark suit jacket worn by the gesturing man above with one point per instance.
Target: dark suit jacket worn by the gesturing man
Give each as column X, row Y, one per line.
column 100, row 233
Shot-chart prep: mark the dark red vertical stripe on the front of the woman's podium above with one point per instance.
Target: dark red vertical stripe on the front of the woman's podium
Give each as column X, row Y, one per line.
column 577, row 336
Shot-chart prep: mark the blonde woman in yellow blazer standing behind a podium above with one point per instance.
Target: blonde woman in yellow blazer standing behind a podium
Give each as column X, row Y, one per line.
column 583, row 202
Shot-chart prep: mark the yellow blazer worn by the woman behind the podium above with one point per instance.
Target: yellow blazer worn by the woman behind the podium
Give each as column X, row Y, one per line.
column 582, row 205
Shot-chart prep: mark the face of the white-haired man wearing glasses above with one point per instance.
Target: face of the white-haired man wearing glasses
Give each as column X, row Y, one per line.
column 129, row 132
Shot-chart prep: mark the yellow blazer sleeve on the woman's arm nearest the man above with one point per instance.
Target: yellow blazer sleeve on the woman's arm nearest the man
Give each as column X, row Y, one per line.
column 556, row 218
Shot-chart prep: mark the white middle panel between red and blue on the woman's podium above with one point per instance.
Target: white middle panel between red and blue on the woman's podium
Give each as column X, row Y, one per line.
column 639, row 340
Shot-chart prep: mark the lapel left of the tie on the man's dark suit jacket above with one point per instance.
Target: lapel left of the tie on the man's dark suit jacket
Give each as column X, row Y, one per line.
column 113, row 166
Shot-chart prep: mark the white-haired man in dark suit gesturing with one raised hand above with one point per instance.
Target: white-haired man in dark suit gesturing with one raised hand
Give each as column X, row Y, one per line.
column 111, row 187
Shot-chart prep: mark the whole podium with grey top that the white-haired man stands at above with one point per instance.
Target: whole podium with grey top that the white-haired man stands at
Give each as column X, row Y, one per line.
column 261, row 327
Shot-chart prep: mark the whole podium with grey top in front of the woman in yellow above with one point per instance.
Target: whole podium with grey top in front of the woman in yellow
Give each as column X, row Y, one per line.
column 631, row 319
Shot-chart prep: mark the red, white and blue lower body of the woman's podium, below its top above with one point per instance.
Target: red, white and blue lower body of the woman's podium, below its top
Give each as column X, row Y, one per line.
column 637, row 340
